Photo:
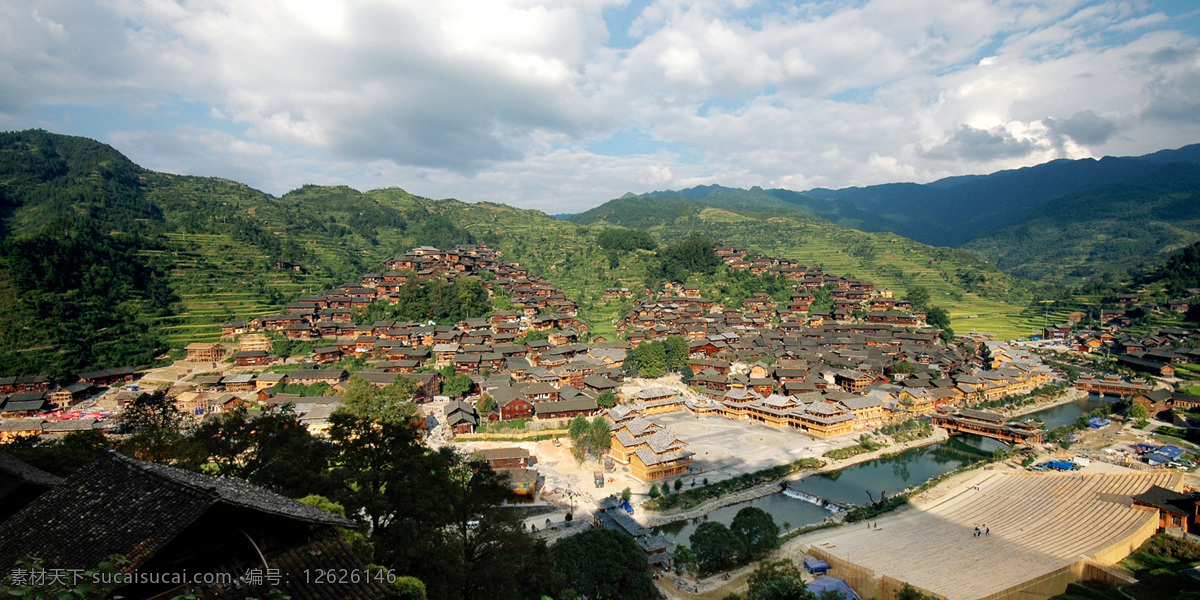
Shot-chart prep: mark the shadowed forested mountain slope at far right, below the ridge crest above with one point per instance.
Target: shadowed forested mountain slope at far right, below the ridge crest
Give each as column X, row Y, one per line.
column 1114, row 230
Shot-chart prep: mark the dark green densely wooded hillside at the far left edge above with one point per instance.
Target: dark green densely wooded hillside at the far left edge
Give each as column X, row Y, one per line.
column 79, row 287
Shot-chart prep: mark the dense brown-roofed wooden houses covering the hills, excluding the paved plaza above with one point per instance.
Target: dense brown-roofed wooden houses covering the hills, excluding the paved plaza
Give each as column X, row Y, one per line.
column 823, row 373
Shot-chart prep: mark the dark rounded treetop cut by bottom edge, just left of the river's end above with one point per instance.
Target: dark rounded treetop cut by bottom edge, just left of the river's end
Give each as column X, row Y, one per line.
column 602, row 565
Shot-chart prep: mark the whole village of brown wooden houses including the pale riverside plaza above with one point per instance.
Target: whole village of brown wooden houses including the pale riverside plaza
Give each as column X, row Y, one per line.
column 868, row 363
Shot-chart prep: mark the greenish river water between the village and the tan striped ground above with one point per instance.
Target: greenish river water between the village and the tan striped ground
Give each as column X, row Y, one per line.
column 889, row 475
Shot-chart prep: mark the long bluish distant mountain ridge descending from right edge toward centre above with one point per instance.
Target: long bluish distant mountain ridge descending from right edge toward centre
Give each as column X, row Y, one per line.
column 1000, row 217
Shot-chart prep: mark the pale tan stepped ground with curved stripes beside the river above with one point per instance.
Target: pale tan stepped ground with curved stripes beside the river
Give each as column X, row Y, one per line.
column 1039, row 523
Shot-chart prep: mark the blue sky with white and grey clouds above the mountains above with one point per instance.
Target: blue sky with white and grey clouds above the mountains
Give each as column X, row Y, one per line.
column 562, row 106
